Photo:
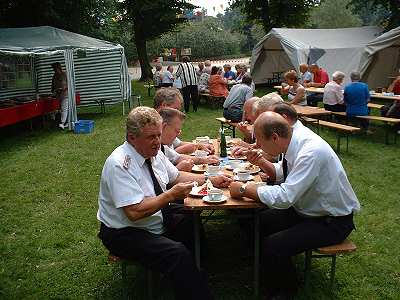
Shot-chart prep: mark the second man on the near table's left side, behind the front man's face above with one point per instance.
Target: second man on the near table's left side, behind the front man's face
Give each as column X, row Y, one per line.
column 172, row 124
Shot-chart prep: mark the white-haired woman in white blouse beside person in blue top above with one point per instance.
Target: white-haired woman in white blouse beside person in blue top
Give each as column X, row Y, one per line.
column 333, row 93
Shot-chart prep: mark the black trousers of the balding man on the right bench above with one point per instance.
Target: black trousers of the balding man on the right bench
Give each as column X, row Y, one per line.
column 285, row 234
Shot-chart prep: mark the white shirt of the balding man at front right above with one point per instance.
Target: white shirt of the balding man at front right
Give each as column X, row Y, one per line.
column 316, row 184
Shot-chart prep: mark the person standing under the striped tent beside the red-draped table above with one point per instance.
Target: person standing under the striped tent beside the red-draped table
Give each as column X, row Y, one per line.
column 59, row 88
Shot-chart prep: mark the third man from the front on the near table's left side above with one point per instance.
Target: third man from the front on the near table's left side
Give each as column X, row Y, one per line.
column 171, row 97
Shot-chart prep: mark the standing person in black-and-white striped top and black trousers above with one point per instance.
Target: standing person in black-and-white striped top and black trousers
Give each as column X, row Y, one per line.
column 187, row 72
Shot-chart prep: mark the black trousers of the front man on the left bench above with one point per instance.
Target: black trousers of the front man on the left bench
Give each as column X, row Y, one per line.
column 167, row 253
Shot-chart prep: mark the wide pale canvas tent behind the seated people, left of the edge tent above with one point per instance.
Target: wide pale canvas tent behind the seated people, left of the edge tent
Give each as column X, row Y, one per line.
column 283, row 49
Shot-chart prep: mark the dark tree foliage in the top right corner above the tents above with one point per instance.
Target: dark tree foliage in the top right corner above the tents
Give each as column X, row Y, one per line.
column 389, row 10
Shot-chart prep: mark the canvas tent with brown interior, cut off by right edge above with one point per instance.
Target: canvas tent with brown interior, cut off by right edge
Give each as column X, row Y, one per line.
column 380, row 61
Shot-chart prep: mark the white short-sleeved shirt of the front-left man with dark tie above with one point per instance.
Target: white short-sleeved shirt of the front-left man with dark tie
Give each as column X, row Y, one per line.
column 126, row 180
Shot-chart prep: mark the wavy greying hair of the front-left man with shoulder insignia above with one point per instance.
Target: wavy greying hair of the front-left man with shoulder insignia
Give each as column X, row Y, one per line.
column 139, row 117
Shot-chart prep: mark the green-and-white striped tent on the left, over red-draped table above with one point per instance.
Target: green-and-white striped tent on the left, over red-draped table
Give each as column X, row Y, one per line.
column 96, row 68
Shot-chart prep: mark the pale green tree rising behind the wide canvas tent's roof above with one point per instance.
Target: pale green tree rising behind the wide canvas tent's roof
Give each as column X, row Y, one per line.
column 322, row 16
